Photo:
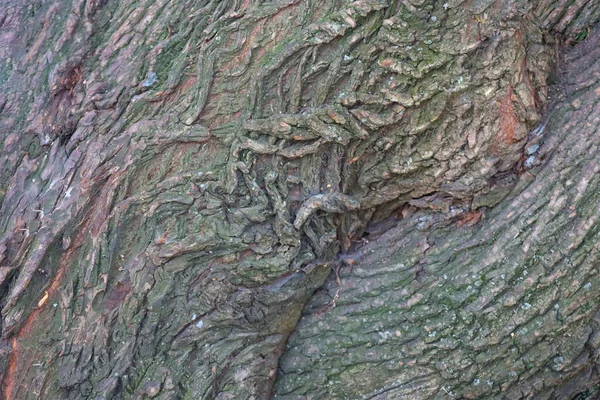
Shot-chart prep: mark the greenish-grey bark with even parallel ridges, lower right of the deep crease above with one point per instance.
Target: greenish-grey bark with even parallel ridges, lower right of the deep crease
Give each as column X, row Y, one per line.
column 505, row 308
